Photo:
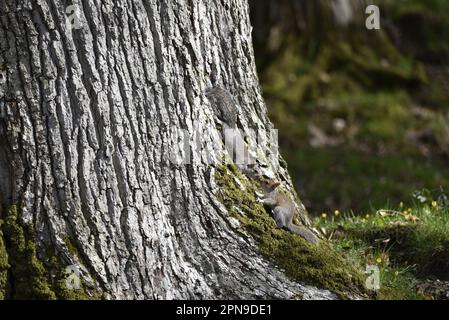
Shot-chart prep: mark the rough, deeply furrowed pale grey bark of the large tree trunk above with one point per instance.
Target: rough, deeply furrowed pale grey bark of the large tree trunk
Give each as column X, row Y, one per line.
column 85, row 143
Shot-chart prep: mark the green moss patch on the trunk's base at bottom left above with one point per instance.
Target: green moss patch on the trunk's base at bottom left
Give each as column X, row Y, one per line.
column 29, row 276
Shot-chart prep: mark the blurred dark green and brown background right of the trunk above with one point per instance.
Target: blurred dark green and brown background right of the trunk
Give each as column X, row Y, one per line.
column 363, row 115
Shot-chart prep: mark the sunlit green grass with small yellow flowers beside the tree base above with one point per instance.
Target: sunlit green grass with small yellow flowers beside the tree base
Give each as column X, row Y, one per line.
column 409, row 244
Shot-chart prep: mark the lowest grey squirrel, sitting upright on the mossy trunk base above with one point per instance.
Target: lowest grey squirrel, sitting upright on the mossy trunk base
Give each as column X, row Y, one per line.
column 284, row 210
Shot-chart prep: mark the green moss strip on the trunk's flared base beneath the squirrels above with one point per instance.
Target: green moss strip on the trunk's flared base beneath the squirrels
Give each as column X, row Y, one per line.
column 317, row 265
